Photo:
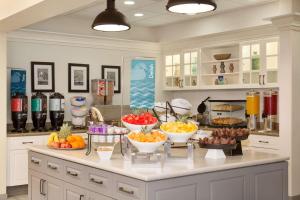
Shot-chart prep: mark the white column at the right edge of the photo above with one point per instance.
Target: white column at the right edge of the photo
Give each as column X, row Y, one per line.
column 289, row 101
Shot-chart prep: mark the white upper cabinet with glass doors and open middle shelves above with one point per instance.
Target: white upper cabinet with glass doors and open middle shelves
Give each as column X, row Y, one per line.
column 252, row 64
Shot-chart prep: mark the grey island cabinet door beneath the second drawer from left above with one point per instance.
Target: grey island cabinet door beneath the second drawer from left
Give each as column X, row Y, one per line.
column 54, row 189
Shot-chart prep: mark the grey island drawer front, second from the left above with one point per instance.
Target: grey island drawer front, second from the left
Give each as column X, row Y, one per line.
column 54, row 167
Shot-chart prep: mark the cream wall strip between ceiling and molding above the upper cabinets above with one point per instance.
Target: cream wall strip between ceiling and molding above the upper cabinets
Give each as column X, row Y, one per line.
column 248, row 17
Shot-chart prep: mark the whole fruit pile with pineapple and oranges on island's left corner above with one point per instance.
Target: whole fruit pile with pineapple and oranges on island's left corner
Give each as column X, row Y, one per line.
column 64, row 140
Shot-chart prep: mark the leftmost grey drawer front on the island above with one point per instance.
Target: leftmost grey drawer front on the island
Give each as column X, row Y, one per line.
column 37, row 161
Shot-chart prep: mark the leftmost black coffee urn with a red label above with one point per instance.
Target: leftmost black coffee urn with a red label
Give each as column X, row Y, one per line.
column 19, row 109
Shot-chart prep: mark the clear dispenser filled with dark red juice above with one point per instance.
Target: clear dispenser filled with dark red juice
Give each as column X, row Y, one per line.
column 270, row 110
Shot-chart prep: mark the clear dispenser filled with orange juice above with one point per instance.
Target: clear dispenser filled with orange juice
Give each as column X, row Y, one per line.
column 252, row 109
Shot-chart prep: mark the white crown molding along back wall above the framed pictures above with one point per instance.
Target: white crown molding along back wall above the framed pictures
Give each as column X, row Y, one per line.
column 65, row 39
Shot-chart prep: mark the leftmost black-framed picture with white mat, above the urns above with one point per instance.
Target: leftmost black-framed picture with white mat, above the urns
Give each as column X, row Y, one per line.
column 42, row 77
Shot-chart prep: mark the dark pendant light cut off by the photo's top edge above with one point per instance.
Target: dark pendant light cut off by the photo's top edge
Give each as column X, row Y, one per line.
column 191, row 6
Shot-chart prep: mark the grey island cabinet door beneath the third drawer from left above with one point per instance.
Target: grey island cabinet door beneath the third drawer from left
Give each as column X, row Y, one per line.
column 75, row 193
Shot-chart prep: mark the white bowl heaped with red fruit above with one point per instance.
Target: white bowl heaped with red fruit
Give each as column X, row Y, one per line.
column 145, row 121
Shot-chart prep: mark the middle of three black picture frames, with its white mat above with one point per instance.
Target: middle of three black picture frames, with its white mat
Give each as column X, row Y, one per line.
column 85, row 79
